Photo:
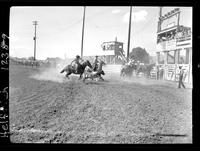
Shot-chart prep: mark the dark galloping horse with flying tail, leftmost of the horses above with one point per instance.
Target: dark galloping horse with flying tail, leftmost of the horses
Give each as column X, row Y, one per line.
column 69, row 69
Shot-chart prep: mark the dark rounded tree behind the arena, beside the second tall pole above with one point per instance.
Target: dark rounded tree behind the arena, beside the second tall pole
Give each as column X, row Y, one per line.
column 140, row 54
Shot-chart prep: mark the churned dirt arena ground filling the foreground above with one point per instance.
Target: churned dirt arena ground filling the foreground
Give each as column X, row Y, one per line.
column 44, row 107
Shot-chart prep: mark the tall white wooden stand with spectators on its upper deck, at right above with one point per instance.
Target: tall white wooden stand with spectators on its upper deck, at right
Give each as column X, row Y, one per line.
column 174, row 47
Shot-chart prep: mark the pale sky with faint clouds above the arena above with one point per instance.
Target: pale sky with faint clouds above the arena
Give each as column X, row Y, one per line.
column 59, row 29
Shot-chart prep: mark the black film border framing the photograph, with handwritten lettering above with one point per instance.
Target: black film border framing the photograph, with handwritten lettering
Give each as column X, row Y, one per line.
column 4, row 52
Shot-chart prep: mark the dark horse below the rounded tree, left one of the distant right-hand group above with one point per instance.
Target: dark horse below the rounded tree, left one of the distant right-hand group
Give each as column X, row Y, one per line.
column 127, row 70
